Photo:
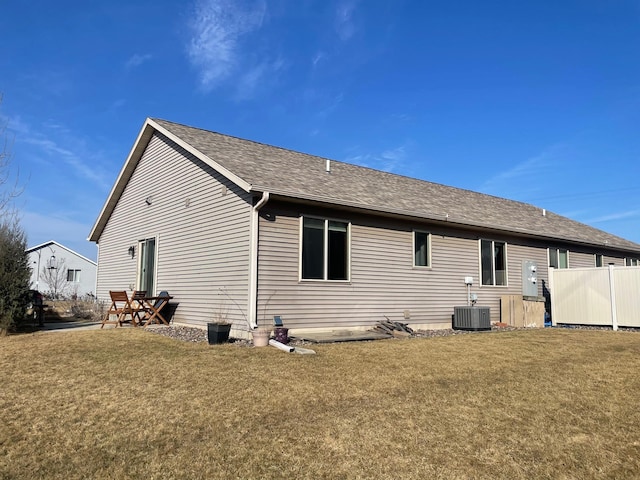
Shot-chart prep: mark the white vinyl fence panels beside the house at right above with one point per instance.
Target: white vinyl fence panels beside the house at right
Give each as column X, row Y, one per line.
column 595, row 296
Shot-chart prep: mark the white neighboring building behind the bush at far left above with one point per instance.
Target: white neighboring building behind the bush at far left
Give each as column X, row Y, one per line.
column 60, row 272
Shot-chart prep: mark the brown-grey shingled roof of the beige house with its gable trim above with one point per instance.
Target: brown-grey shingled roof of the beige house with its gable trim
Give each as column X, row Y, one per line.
column 285, row 173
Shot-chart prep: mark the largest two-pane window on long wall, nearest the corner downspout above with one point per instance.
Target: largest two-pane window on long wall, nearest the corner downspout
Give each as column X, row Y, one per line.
column 325, row 249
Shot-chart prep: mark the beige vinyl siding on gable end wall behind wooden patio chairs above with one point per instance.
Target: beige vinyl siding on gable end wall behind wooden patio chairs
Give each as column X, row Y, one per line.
column 201, row 221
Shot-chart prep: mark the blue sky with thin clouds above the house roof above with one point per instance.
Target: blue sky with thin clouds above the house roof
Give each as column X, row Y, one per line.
column 532, row 101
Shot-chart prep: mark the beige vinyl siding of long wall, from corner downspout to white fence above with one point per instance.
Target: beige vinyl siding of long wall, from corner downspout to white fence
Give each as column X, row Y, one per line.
column 383, row 279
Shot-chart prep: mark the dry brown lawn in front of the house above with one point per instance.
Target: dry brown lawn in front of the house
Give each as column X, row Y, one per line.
column 125, row 403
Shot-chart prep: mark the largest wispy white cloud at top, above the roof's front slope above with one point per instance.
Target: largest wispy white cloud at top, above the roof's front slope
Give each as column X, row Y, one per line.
column 217, row 28
